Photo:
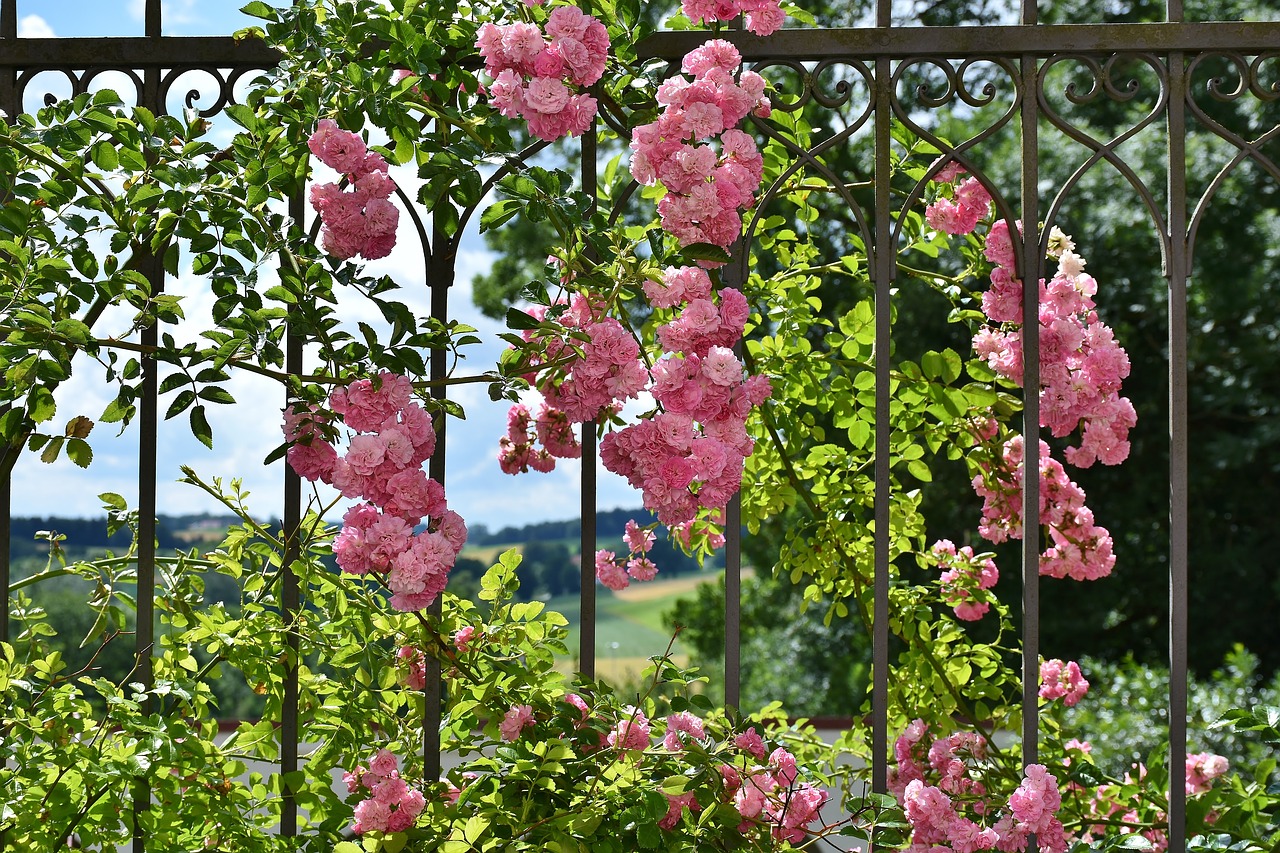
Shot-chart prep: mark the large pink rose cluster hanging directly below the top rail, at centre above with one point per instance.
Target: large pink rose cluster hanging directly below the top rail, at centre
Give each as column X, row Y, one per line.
column 707, row 190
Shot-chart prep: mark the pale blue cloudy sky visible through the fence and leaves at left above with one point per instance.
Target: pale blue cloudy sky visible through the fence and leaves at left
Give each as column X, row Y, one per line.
column 246, row 434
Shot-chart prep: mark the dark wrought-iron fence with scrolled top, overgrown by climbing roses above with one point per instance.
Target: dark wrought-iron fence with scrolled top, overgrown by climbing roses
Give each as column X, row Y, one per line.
column 867, row 75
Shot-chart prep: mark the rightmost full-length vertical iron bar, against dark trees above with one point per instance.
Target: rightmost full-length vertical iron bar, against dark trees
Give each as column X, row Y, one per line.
column 1178, row 275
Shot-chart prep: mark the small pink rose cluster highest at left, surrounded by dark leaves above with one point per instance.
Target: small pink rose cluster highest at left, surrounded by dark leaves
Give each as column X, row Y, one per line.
column 362, row 222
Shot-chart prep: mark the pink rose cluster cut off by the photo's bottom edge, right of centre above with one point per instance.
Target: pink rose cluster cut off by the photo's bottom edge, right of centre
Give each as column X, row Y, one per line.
column 957, row 813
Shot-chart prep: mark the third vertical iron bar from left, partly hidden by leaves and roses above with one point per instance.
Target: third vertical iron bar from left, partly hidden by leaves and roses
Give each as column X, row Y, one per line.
column 290, row 595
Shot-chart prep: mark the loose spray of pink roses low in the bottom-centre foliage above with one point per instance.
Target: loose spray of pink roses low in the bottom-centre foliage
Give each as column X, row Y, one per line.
column 765, row 788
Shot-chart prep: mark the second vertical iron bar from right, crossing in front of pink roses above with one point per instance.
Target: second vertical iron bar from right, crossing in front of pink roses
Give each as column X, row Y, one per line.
column 1032, row 263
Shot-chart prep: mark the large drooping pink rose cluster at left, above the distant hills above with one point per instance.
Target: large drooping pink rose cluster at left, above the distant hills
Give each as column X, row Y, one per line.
column 383, row 466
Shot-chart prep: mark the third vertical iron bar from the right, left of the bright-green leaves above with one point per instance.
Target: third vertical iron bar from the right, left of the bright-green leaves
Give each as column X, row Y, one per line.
column 885, row 267
